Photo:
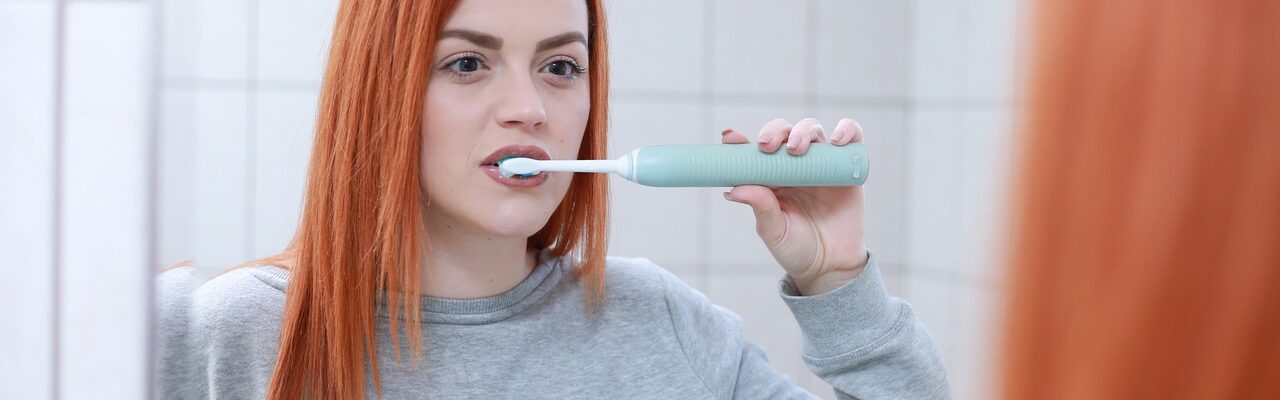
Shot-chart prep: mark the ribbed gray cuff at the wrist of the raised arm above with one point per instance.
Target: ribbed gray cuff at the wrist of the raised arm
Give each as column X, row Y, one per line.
column 844, row 320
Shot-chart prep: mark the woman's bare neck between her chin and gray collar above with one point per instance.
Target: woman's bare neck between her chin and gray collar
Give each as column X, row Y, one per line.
column 467, row 265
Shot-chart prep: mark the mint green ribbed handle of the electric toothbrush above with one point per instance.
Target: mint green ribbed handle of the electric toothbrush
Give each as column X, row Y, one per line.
column 717, row 166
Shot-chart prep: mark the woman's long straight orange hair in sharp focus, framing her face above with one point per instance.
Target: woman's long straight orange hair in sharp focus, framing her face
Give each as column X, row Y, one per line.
column 362, row 233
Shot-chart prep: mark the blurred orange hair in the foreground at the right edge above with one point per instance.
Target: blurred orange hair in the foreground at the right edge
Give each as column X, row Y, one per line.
column 1146, row 253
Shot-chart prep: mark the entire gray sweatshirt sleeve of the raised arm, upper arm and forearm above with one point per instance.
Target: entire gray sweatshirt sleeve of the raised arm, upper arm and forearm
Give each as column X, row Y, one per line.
column 857, row 338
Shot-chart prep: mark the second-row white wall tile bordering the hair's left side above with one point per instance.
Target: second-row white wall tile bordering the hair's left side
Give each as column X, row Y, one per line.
column 282, row 151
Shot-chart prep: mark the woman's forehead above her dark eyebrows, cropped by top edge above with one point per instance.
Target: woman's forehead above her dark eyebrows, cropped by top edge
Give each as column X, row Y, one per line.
column 520, row 22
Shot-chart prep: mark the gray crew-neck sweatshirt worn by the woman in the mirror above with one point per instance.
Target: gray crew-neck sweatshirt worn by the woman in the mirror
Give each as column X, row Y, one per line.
column 655, row 339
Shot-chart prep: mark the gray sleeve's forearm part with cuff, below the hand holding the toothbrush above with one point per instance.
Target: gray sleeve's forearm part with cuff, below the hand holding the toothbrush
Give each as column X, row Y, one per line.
column 866, row 343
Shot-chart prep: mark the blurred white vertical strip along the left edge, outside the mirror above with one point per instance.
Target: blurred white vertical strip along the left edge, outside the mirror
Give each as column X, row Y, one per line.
column 76, row 230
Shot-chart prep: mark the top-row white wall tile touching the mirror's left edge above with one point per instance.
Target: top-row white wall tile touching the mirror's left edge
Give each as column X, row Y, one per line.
column 207, row 39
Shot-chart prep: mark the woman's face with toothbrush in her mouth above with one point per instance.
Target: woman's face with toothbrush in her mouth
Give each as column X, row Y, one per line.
column 504, row 74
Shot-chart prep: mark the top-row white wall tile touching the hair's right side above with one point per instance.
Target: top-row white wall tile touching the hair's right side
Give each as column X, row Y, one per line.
column 657, row 47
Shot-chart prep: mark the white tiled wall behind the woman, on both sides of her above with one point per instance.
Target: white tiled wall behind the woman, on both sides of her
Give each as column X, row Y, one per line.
column 929, row 80
